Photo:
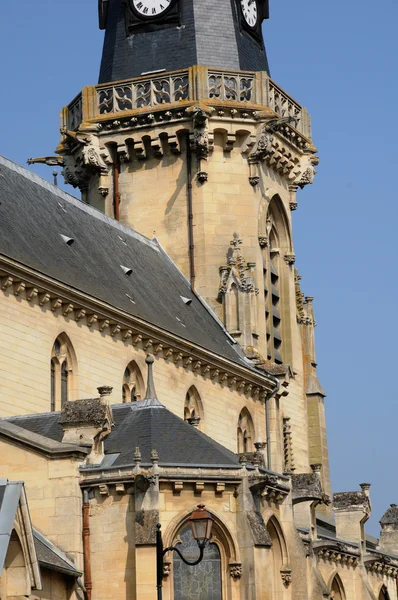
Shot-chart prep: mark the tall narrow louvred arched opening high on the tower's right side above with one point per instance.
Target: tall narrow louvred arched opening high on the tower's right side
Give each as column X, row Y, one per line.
column 275, row 243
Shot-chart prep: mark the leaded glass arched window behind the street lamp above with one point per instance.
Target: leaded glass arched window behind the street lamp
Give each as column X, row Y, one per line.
column 202, row 582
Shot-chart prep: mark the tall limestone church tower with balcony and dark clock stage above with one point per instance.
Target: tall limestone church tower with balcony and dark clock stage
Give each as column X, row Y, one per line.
column 187, row 138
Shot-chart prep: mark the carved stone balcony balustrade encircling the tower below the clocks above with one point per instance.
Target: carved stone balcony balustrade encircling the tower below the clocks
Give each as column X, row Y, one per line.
column 157, row 91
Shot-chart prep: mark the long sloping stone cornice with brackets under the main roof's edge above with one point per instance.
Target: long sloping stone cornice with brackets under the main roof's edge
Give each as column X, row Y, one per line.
column 71, row 303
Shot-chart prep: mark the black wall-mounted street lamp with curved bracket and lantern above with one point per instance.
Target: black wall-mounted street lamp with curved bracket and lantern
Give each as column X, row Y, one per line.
column 201, row 523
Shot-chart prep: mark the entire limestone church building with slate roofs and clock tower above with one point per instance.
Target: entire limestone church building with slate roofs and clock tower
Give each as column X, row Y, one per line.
column 157, row 351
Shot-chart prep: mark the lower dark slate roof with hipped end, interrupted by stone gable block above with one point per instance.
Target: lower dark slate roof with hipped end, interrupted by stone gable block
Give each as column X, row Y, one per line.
column 148, row 425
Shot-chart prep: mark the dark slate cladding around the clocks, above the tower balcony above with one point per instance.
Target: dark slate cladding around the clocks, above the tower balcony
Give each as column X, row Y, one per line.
column 203, row 32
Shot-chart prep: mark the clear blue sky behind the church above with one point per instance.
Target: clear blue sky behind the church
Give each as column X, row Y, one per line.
column 339, row 60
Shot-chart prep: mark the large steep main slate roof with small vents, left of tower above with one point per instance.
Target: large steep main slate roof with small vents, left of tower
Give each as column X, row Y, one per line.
column 35, row 214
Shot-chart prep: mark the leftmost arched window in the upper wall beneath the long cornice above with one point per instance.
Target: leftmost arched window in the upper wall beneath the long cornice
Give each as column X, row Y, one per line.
column 63, row 371
